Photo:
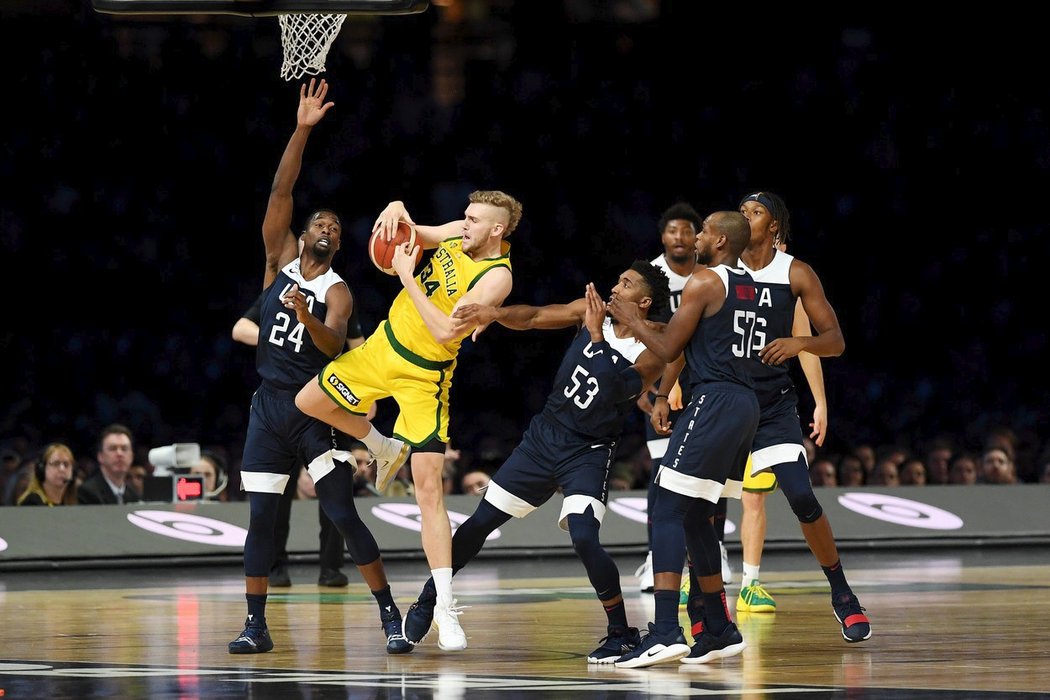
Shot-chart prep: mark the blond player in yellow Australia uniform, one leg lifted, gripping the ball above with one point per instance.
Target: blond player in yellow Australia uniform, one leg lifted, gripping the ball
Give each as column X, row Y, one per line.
column 412, row 358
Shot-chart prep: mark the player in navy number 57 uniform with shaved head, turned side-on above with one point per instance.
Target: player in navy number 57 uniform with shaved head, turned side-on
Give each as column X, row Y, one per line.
column 717, row 327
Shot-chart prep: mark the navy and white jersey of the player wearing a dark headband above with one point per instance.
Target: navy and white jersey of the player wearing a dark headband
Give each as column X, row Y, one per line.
column 776, row 308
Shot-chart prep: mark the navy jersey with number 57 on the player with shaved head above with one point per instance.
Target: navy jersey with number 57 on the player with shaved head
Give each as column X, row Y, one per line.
column 722, row 348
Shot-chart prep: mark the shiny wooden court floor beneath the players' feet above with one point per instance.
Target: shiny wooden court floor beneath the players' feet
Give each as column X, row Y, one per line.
column 947, row 624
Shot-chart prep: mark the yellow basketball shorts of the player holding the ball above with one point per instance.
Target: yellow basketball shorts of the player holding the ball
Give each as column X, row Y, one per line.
column 383, row 368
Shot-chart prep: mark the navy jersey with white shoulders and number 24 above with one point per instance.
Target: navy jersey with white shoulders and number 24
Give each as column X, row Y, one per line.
column 287, row 357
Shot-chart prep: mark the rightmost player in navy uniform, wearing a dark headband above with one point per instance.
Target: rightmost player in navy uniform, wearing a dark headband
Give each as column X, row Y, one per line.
column 783, row 282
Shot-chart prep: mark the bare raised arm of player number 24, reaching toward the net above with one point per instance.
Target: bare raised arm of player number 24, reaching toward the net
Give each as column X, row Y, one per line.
column 281, row 243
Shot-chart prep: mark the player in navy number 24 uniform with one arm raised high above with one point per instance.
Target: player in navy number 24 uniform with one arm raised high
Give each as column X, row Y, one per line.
column 303, row 326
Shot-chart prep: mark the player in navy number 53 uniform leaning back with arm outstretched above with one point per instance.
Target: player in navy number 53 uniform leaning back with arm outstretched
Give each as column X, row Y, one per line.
column 570, row 446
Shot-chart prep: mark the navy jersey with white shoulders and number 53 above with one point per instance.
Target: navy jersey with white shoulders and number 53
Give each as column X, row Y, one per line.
column 582, row 399
